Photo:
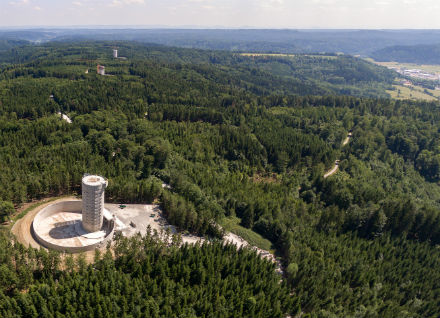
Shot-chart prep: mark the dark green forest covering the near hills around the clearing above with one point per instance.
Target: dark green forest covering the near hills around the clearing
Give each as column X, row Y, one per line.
column 236, row 137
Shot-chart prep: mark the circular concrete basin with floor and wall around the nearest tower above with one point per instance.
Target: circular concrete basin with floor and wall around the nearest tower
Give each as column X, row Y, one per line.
column 58, row 226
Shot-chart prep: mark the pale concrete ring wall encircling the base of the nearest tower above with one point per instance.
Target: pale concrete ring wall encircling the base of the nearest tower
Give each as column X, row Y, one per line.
column 65, row 206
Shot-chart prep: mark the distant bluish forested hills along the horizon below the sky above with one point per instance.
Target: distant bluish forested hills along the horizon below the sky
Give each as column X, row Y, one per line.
column 354, row 42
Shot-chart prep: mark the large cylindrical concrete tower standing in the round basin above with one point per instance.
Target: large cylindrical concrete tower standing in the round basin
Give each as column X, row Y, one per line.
column 93, row 202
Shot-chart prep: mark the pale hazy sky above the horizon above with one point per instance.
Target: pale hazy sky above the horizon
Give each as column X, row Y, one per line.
column 226, row 13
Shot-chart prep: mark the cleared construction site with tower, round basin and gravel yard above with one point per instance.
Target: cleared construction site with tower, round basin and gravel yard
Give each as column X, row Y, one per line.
column 72, row 225
